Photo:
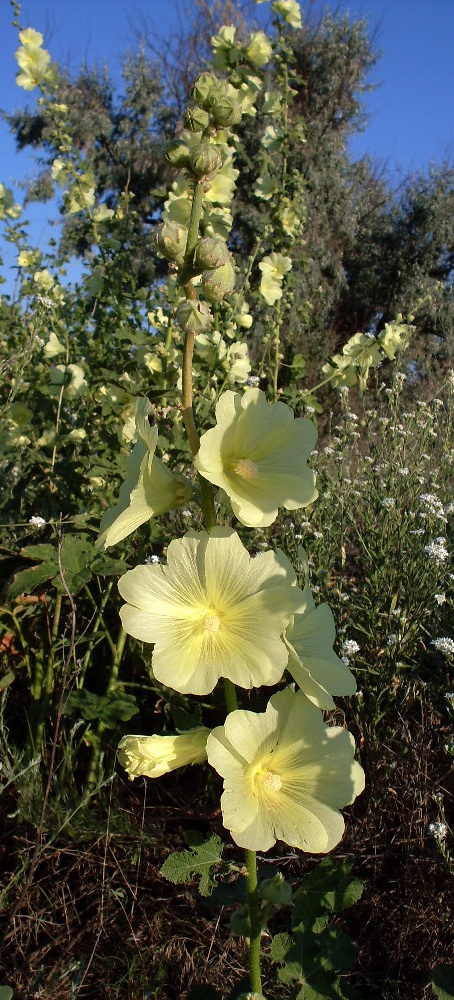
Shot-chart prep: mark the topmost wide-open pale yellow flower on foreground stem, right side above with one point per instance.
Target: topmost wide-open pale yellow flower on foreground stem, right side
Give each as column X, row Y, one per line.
column 257, row 453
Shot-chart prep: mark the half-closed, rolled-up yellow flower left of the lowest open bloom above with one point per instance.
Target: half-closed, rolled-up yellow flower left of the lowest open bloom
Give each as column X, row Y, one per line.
column 153, row 756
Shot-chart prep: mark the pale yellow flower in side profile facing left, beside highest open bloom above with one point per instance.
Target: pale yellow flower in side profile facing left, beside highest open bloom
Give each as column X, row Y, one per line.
column 150, row 488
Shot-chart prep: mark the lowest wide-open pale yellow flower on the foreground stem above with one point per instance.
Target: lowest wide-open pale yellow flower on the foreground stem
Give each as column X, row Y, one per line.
column 286, row 775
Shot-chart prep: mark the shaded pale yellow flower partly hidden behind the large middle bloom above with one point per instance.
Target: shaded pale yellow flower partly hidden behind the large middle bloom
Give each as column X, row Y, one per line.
column 312, row 662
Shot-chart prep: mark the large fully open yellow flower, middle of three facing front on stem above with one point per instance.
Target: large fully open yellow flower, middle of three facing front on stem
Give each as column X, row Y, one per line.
column 212, row 612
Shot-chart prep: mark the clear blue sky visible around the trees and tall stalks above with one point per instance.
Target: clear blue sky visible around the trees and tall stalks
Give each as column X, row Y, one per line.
column 411, row 116
